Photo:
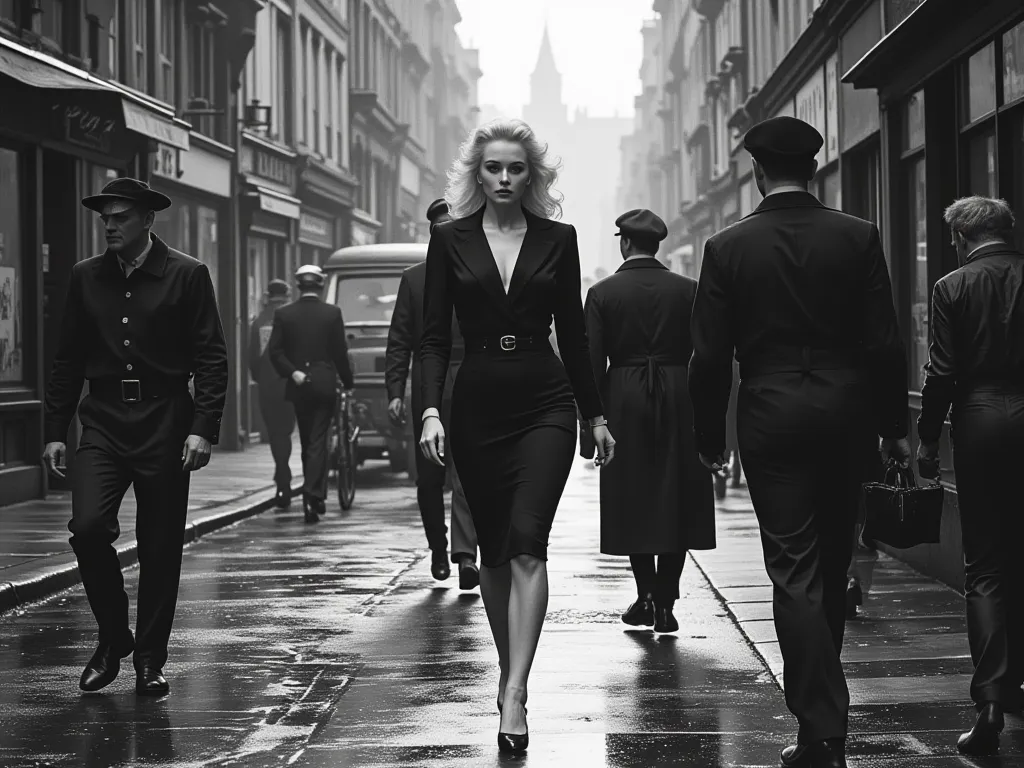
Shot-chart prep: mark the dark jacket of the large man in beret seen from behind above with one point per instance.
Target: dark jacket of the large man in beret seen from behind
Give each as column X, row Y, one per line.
column 794, row 274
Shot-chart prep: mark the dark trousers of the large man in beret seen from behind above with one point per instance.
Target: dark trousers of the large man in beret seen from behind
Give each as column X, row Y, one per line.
column 806, row 453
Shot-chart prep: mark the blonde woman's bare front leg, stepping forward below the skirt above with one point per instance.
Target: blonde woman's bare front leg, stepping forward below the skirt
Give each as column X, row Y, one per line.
column 527, row 608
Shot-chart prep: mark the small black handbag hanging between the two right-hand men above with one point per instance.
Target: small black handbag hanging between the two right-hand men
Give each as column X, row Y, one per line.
column 902, row 514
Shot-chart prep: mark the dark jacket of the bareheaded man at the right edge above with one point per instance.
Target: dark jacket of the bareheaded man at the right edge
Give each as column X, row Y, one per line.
column 977, row 332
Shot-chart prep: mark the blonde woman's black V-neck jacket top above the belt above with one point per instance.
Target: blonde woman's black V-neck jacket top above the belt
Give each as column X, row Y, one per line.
column 546, row 284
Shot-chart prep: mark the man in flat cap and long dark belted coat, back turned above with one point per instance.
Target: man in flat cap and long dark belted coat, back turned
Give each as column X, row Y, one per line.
column 657, row 499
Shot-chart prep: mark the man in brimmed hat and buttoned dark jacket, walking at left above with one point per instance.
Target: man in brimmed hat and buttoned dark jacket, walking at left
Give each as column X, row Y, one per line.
column 140, row 322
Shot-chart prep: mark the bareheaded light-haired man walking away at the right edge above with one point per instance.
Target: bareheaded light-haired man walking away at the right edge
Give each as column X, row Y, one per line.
column 976, row 365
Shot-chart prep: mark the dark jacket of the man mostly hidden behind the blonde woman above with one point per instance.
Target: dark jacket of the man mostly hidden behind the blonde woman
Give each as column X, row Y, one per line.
column 405, row 335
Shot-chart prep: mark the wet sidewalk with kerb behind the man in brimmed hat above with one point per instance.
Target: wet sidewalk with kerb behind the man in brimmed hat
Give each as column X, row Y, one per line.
column 36, row 560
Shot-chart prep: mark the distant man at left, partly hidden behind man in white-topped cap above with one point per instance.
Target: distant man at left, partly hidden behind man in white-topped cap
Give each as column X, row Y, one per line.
column 276, row 410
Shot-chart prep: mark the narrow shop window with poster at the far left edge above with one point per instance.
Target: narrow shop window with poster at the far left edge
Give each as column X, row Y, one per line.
column 12, row 349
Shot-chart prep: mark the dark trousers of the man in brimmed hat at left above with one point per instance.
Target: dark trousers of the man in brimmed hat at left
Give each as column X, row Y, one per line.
column 137, row 445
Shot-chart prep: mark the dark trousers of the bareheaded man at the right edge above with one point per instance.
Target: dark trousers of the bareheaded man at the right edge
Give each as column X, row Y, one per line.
column 989, row 454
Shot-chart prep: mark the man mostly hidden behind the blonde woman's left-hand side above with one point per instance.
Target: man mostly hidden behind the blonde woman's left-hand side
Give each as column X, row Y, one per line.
column 404, row 351
